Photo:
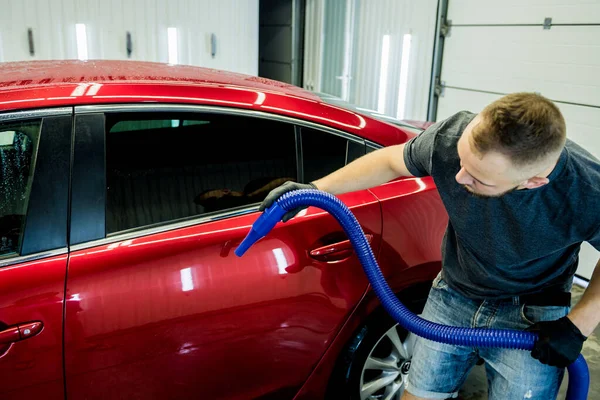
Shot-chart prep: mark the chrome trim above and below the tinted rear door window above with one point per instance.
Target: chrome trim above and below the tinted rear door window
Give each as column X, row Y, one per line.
column 177, row 108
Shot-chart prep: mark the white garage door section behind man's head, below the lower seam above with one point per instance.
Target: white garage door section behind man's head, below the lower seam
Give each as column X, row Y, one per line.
column 583, row 127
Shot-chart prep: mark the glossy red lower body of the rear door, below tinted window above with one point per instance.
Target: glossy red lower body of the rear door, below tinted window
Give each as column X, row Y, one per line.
column 183, row 299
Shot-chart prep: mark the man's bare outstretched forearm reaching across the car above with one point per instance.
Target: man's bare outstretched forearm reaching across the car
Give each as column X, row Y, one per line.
column 372, row 169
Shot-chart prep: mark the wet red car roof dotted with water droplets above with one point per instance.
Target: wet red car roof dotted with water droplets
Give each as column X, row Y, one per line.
column 27, row 85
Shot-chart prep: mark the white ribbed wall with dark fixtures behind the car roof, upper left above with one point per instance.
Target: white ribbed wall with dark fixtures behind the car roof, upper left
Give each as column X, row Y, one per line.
column 234, row 23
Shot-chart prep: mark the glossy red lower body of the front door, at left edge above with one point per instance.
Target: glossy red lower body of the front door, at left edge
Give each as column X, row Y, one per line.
column 32, row 367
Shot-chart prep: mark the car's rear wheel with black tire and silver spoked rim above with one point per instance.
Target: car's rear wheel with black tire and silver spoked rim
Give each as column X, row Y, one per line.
column 375, row 363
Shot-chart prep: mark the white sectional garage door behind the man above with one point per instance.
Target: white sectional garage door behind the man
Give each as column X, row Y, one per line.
column 495, row 48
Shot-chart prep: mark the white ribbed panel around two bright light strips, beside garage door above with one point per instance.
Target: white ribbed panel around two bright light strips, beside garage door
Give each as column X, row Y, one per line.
column 395, row 18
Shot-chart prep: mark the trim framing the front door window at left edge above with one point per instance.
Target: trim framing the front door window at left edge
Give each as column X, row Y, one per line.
column 20, row 258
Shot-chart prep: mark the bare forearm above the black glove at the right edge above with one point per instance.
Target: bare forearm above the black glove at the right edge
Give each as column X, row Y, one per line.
column 586, row 313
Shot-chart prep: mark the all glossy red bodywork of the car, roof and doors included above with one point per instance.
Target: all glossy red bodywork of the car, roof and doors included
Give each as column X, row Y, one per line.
column 176, row 314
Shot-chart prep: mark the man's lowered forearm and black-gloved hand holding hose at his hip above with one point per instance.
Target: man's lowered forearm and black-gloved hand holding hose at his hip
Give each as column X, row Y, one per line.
column 560, row 342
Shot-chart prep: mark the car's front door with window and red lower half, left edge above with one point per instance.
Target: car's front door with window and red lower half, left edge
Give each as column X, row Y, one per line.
column 35, row 148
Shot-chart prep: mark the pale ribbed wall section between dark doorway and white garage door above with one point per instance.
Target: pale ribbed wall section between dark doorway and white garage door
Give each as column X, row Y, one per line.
column 344, row 54
